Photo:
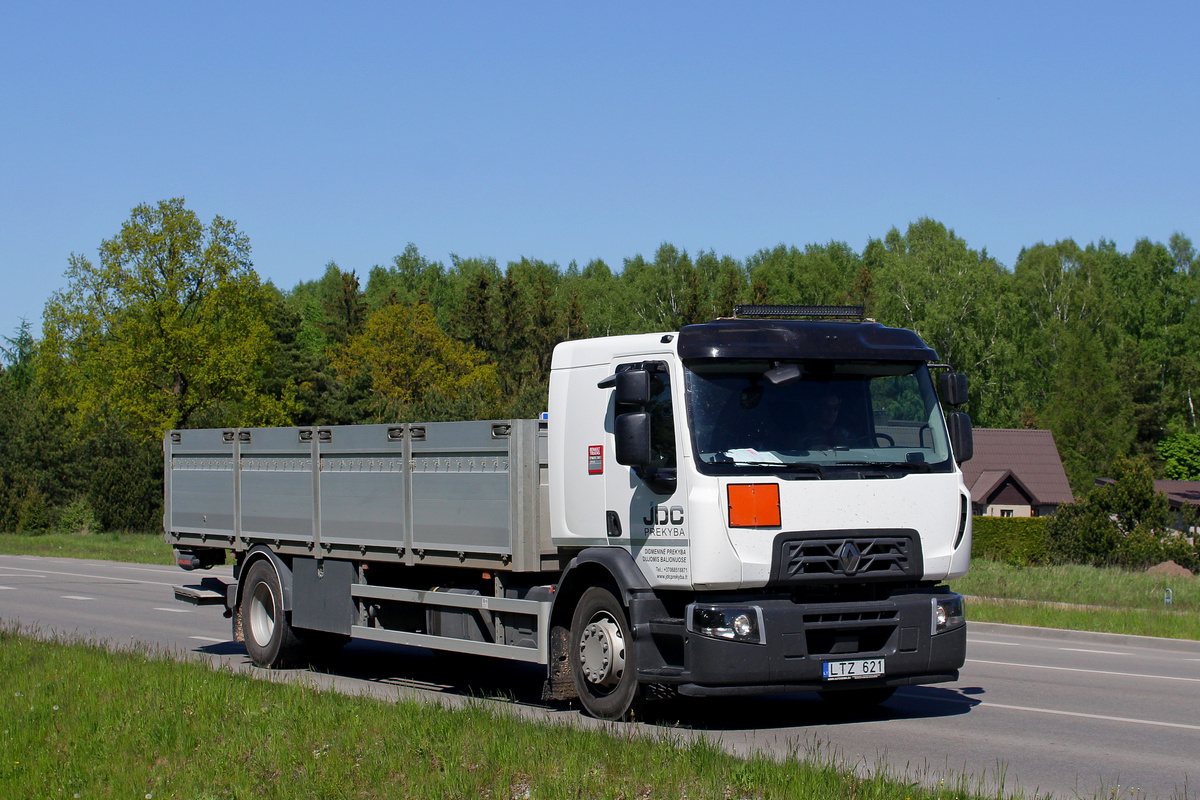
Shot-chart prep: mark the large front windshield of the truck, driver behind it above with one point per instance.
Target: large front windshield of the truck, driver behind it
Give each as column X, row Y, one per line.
column 815, row 418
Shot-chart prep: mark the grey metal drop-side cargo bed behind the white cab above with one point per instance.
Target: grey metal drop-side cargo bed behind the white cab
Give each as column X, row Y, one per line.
column 437, row 494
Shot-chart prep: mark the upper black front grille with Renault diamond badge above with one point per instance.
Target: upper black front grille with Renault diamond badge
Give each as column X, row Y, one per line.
column 847, row 556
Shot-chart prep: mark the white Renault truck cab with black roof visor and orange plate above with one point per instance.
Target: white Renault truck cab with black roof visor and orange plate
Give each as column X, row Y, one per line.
column 789, row 492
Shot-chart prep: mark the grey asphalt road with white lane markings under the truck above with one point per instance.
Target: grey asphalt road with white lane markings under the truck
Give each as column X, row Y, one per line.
column 1039, row 711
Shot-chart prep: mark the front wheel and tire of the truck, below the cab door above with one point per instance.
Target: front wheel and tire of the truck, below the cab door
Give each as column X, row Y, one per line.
column 602, row 657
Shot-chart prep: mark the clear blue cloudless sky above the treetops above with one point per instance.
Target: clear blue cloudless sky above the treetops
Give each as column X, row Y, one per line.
column 575, row 131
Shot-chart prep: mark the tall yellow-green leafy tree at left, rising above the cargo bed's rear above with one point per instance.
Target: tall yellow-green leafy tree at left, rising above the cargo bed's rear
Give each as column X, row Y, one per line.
column 169, row 330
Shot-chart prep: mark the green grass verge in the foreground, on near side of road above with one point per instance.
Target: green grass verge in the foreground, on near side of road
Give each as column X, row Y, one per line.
column 81, row 721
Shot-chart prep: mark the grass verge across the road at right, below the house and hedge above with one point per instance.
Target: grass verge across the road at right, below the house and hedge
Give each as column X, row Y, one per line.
column 1118, row 601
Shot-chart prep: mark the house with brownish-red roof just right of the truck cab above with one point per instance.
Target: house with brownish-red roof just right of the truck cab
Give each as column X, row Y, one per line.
column 1016, row 473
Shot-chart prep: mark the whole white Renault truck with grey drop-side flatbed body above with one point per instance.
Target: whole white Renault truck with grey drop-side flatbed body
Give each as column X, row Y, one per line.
column 753, row 506
